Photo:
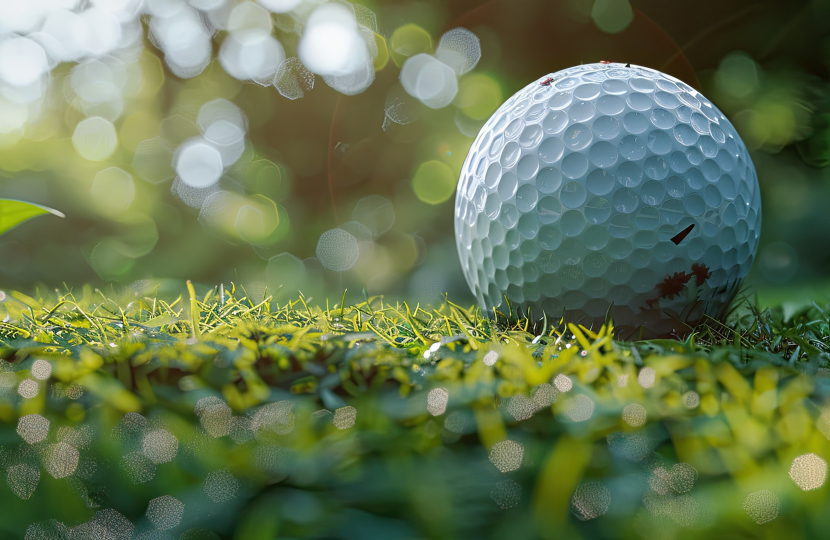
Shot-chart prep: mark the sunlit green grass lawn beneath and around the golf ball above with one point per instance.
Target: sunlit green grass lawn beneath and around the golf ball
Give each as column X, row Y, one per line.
column 223, row 416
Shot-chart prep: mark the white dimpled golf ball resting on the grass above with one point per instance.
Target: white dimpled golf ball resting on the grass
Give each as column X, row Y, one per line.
column 573, row 190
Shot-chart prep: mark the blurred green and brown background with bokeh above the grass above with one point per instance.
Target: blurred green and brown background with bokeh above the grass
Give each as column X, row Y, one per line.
column 315, row 146
